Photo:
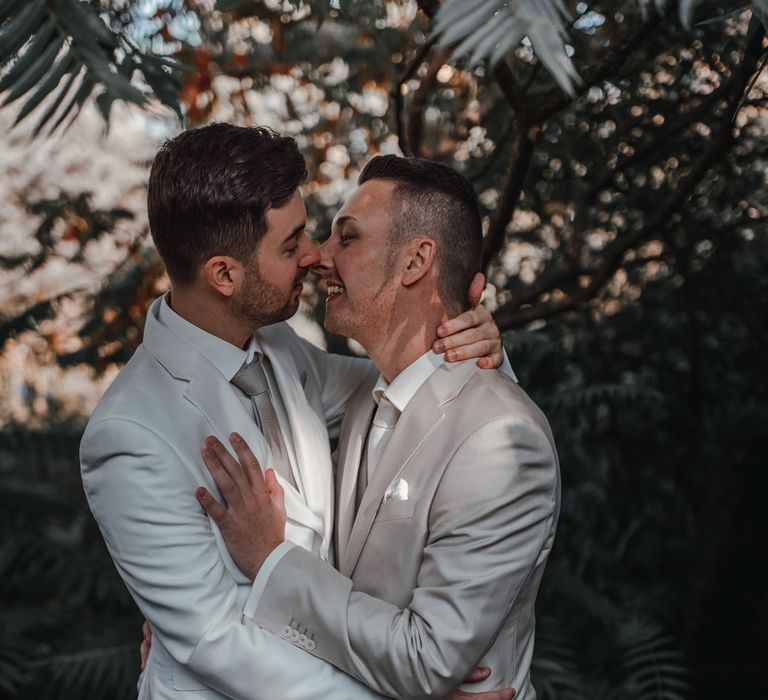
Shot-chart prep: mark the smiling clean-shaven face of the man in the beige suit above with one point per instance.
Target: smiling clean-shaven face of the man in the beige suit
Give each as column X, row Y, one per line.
column 357, row 264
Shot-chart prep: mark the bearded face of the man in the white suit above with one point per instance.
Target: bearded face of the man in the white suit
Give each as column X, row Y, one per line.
column 274, row 276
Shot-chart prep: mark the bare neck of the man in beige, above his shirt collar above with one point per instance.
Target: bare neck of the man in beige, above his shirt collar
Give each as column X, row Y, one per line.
column 405, row 340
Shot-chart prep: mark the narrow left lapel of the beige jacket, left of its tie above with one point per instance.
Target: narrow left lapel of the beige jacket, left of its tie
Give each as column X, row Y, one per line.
column 350, row 452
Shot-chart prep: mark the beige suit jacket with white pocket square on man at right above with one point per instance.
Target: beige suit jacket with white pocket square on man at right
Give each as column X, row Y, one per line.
column 445, row 579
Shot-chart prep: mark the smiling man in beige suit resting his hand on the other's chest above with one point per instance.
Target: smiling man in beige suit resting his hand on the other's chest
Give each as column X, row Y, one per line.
column 448, row 488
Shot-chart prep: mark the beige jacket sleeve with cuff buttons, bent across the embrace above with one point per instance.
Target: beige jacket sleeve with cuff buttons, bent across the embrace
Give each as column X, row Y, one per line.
column 490, row 526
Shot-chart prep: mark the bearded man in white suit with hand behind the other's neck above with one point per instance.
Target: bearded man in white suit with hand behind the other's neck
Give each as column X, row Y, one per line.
column 228, row 220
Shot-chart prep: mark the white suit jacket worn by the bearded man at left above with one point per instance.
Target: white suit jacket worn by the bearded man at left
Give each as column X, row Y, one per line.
column 141, row 463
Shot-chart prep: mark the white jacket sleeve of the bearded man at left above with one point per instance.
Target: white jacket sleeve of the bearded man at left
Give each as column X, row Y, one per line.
column 142, row 495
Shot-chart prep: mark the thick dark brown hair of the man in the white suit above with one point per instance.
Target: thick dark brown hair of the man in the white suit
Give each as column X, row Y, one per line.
column 210, row 190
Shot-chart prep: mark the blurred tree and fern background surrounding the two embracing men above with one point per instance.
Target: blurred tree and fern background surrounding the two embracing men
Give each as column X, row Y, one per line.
column 619, row 152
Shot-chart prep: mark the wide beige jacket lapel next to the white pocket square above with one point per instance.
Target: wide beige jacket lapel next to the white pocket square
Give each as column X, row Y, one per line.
column 421, row 417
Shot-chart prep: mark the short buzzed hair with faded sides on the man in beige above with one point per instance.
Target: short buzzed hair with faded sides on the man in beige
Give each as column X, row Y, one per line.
column 434, row 200
